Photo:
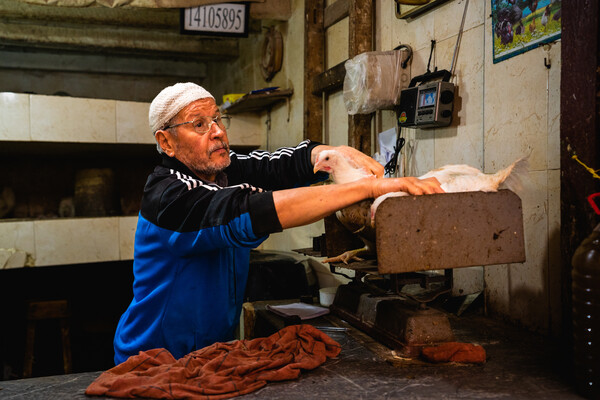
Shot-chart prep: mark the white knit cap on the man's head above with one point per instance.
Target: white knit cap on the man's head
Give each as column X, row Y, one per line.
column 171, row 100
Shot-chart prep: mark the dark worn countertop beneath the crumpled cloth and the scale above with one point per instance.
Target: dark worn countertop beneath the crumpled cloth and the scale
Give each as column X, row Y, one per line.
column 520, row 365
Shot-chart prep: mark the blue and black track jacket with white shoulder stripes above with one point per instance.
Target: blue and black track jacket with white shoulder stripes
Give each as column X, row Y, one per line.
column 192, row 248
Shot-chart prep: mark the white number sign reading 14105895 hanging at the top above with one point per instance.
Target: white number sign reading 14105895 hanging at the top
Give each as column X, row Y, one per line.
column 227, row 19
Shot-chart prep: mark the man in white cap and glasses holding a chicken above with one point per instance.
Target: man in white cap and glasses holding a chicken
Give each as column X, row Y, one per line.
column 202, row 212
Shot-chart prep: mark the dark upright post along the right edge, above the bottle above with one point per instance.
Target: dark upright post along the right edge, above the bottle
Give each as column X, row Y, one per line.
column 579, row 132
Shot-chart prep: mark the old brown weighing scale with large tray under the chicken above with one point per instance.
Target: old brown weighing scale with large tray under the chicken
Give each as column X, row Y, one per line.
column 419, row 240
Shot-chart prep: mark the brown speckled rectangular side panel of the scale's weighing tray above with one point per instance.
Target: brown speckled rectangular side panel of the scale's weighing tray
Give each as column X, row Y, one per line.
column 450, row 230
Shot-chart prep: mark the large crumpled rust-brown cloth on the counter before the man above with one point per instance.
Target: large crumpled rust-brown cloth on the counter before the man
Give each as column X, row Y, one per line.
column 219, row 371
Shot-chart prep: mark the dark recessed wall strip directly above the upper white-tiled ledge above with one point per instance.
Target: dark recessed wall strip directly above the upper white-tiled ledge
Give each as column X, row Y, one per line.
column 100, row 76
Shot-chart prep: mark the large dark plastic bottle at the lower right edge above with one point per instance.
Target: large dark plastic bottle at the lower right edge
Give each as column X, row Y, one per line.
column 586, row 315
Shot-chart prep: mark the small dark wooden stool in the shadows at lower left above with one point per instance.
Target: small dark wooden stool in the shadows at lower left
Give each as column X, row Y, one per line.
column 52, row 309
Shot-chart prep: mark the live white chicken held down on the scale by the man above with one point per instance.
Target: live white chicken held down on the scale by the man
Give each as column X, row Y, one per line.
column 360, row 218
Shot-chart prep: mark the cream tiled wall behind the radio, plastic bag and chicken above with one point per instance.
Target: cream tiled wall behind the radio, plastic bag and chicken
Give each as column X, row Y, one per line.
column 506, row 110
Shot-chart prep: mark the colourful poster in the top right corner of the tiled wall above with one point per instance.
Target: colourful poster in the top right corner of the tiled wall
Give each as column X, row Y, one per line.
column 522, row 25
